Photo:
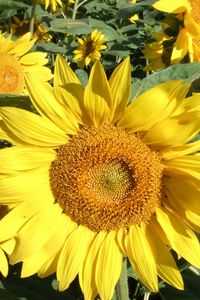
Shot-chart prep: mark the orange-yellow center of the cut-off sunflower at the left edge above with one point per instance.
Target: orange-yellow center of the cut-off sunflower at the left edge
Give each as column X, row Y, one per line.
column 11, row 75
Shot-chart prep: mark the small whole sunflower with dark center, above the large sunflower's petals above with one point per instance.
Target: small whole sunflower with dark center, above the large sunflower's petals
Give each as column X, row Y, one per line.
column 89, row 48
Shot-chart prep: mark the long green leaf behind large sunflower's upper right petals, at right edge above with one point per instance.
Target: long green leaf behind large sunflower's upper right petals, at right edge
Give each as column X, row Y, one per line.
column 186, row 72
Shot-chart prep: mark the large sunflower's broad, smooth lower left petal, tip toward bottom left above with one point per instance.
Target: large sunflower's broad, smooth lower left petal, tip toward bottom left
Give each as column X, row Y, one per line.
column 36, row 232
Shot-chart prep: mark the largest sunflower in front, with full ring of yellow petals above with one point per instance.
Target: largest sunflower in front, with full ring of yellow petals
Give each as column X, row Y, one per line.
column 92, row 179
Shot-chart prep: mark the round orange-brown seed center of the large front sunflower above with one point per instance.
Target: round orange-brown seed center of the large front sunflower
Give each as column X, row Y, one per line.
column 106, row 178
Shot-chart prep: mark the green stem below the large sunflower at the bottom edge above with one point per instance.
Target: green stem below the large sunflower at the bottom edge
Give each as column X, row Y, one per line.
column 121, row 289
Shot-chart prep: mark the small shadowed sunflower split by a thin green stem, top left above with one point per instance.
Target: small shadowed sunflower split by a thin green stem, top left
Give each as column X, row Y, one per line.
column 20, row 27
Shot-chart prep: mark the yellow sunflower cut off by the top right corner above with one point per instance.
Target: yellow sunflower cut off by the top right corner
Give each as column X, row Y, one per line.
column 188, row 39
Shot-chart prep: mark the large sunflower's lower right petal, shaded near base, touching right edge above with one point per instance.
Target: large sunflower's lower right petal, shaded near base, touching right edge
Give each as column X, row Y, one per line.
column 181, row 238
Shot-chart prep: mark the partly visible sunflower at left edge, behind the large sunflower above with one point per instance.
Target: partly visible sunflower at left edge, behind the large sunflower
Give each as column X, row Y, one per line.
column 16, row 63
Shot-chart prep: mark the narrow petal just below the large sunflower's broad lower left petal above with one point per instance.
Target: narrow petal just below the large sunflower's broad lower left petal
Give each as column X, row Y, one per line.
column 32, row 264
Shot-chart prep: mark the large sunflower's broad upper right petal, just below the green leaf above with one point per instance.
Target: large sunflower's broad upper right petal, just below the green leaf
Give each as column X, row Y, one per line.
column 155, row 108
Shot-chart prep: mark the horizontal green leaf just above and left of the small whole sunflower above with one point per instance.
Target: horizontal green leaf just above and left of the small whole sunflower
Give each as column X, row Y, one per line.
column 73, row 27
